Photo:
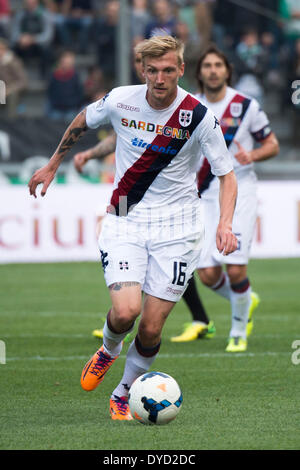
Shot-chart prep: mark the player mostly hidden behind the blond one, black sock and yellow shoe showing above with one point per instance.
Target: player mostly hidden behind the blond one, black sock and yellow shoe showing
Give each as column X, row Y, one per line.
column 201, row 327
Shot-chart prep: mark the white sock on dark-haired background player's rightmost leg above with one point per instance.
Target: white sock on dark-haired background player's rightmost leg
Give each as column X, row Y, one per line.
column 240, row 303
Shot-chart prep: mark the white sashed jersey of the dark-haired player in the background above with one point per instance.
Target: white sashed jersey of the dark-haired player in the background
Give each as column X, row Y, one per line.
column 241, row 119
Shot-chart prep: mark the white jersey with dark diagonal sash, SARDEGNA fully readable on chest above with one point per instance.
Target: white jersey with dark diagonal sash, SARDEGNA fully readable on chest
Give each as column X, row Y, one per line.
column 158, row 151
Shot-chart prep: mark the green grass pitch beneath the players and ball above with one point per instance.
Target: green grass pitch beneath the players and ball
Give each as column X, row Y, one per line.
column 230, row 401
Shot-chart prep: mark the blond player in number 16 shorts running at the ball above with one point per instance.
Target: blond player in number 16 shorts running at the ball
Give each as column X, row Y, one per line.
column 145, row 244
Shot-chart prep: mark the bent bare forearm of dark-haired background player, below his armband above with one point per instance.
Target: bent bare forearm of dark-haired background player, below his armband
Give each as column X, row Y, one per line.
column 269, row 147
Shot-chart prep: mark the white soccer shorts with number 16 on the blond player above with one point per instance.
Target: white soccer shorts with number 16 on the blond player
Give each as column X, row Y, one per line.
column 161, row 259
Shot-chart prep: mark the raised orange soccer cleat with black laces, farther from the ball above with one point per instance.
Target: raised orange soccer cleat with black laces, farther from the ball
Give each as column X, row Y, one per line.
column 95, row 369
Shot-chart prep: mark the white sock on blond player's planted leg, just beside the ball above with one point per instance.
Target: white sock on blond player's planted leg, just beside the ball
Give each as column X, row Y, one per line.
column 136, row 365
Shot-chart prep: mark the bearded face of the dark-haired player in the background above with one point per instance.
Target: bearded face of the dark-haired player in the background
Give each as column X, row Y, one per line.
column 213, row 73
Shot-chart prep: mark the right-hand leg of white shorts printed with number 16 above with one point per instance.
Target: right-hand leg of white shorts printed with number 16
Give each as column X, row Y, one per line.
column 171, row 264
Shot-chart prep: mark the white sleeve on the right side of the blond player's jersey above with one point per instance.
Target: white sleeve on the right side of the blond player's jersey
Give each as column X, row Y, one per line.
column 213, row 146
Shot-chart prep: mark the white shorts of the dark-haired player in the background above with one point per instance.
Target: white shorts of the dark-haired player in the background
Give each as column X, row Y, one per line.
column 243, row 226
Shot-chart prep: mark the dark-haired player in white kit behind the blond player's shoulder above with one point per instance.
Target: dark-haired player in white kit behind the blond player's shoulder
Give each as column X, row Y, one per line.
column 243, row 123
